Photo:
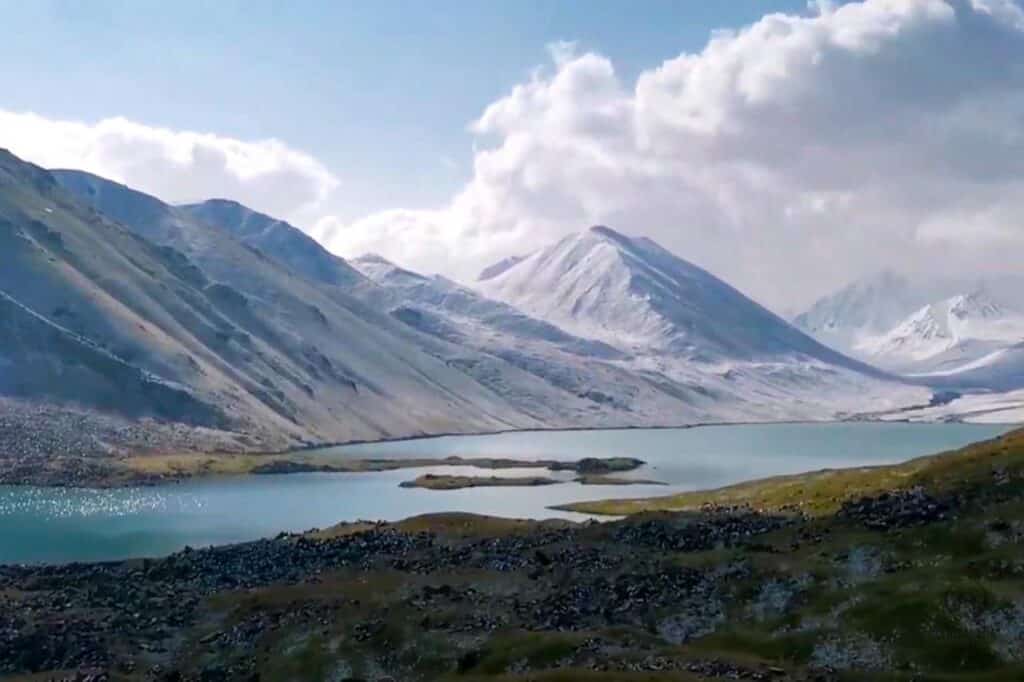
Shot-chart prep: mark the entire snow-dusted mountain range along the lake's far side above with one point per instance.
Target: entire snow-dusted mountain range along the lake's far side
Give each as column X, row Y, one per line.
column 225, row 321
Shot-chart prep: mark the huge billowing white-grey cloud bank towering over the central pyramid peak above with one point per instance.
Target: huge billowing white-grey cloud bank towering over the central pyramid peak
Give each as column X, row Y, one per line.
column 787, row 156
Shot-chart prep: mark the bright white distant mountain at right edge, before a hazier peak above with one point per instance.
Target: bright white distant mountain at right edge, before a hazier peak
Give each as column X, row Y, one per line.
column 947, row 336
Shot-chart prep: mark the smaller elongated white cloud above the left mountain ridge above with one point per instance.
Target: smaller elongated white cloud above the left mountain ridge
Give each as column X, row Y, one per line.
column 177, row 166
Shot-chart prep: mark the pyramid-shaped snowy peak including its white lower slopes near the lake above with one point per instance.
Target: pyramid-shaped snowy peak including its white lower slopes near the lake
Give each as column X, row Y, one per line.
column 671, row 319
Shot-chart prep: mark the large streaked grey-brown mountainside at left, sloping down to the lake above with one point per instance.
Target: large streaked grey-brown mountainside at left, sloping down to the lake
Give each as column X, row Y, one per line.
column 118, row 303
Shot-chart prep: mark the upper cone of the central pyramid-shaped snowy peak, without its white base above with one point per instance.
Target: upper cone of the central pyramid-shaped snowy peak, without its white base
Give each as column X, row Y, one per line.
column 634, row 294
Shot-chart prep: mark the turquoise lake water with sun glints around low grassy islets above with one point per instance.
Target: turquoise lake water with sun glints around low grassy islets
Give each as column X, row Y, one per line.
column 60, row 526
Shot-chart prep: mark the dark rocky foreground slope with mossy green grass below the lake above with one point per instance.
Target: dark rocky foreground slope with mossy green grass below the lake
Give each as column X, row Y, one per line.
column 916, row 573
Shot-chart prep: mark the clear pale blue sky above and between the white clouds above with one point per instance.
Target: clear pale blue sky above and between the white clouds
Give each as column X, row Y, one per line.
column 380, row 92
